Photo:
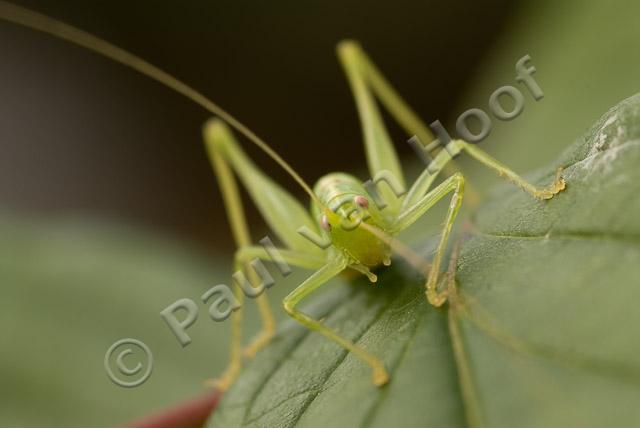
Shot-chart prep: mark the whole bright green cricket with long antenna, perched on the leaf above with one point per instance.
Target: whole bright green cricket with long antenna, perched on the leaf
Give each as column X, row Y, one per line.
column 361, row 235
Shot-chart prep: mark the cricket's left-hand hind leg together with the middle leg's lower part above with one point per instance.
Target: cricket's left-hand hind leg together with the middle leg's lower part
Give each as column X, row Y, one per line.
column 279, row 209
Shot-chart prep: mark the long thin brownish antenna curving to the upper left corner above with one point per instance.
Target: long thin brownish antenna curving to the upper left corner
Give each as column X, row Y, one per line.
column 39, row 22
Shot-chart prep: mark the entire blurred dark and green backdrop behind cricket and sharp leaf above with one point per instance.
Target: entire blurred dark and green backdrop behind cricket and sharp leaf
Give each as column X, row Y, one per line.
column 110, row 211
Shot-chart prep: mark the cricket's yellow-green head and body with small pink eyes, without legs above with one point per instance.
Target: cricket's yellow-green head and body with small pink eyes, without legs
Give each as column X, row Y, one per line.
column 349, row 205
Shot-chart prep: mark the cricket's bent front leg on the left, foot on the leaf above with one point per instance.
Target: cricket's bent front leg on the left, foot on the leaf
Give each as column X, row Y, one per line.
column 324, row 274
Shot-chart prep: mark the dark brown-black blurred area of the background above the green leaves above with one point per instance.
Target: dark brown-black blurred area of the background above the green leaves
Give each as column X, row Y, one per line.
column 80, row 134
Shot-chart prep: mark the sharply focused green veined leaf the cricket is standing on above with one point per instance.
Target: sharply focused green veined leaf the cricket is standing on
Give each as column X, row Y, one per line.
column 543, row 334
